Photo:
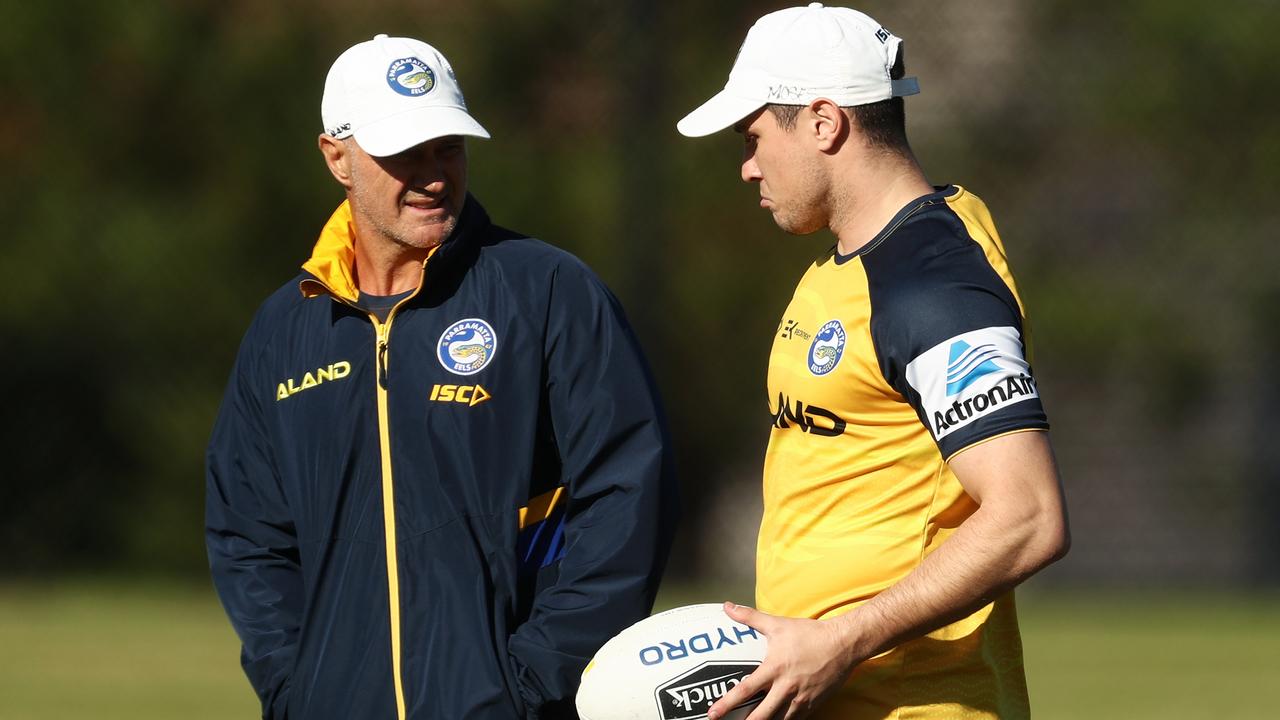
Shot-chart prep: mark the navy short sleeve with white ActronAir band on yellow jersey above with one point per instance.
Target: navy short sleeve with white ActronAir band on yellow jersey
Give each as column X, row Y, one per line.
column 949, row 335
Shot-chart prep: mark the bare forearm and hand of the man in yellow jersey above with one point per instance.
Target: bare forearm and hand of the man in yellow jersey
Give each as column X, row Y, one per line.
column 1018, row 528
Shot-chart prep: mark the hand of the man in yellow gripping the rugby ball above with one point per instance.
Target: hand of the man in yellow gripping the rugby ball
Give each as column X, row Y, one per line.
column 807, row 662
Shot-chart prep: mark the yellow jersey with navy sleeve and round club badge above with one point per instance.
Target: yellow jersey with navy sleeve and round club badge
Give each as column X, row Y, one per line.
column 889, row 362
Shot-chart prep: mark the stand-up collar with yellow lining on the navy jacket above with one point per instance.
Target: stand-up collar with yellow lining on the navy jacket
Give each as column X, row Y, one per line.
column 331, row 270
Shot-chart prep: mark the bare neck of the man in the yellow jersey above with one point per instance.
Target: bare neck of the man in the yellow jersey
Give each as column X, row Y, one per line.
column 872, row 197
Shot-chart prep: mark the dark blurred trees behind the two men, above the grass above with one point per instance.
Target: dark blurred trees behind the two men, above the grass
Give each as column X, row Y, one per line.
column 162, row 179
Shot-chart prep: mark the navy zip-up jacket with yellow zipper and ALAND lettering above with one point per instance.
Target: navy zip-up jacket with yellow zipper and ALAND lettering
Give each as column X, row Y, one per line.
column 447, row 514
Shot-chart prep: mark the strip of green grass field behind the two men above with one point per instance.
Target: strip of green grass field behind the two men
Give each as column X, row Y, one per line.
column 154, row 651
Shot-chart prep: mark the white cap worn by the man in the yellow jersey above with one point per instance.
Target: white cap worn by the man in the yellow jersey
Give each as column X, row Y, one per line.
column 798, row 56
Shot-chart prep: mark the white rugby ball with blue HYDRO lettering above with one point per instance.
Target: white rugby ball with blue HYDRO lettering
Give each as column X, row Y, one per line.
column 671, row 667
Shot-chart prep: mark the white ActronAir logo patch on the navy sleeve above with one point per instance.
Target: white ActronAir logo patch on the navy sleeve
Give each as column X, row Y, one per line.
column 971, row 376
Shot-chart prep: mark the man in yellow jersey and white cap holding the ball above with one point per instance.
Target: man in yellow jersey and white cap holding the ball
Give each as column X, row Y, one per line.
column 909, row 484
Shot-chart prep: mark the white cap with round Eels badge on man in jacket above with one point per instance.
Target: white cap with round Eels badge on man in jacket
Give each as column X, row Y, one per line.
column 392, row 94
